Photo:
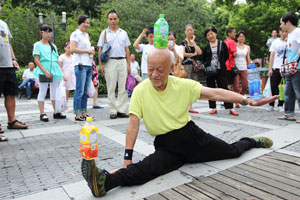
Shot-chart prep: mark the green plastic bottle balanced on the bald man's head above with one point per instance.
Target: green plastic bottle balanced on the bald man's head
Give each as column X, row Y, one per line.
column 161, row 32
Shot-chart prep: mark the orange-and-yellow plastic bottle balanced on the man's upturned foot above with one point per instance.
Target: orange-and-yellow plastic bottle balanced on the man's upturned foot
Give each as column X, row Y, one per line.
column 89, row 140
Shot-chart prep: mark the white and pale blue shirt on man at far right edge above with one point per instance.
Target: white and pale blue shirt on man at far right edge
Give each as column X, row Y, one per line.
column 293, row 43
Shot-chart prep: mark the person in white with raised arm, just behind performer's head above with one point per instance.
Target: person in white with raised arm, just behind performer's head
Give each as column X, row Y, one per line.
column 145, row 48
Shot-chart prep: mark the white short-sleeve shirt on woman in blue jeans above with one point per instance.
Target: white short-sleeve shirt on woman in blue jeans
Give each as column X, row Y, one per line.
column 83, row 42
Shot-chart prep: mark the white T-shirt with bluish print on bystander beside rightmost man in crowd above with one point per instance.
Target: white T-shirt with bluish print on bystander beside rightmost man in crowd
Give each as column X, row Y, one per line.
column 278, row 47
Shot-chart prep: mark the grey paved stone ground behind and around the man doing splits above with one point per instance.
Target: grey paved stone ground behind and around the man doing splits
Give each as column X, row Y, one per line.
column 45, row 161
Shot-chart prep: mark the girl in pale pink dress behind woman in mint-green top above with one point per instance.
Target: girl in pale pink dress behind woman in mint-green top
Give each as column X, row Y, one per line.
column 65, row 62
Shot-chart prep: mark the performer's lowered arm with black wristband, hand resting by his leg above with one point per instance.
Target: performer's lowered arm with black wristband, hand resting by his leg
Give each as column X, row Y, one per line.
column 132, row 132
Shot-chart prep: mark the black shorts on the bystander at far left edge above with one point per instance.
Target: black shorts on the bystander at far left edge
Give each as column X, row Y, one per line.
column 8, row 82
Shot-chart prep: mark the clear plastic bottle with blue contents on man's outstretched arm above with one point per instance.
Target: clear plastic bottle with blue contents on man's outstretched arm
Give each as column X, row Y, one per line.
column 254, row 82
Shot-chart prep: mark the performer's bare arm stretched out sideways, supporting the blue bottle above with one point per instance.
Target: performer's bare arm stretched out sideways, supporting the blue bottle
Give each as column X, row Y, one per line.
column 218, row 94
